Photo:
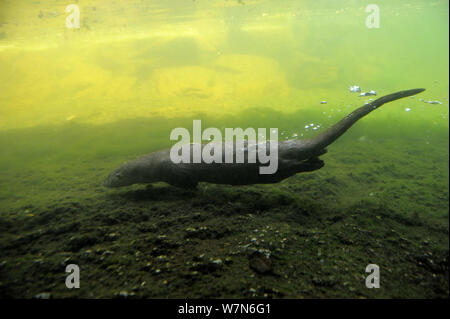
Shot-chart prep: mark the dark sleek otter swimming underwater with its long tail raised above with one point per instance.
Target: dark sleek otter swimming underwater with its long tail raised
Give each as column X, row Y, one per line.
column 294, row 156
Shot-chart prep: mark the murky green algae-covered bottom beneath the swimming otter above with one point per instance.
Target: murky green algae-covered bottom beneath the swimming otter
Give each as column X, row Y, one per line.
column 376, row 201
